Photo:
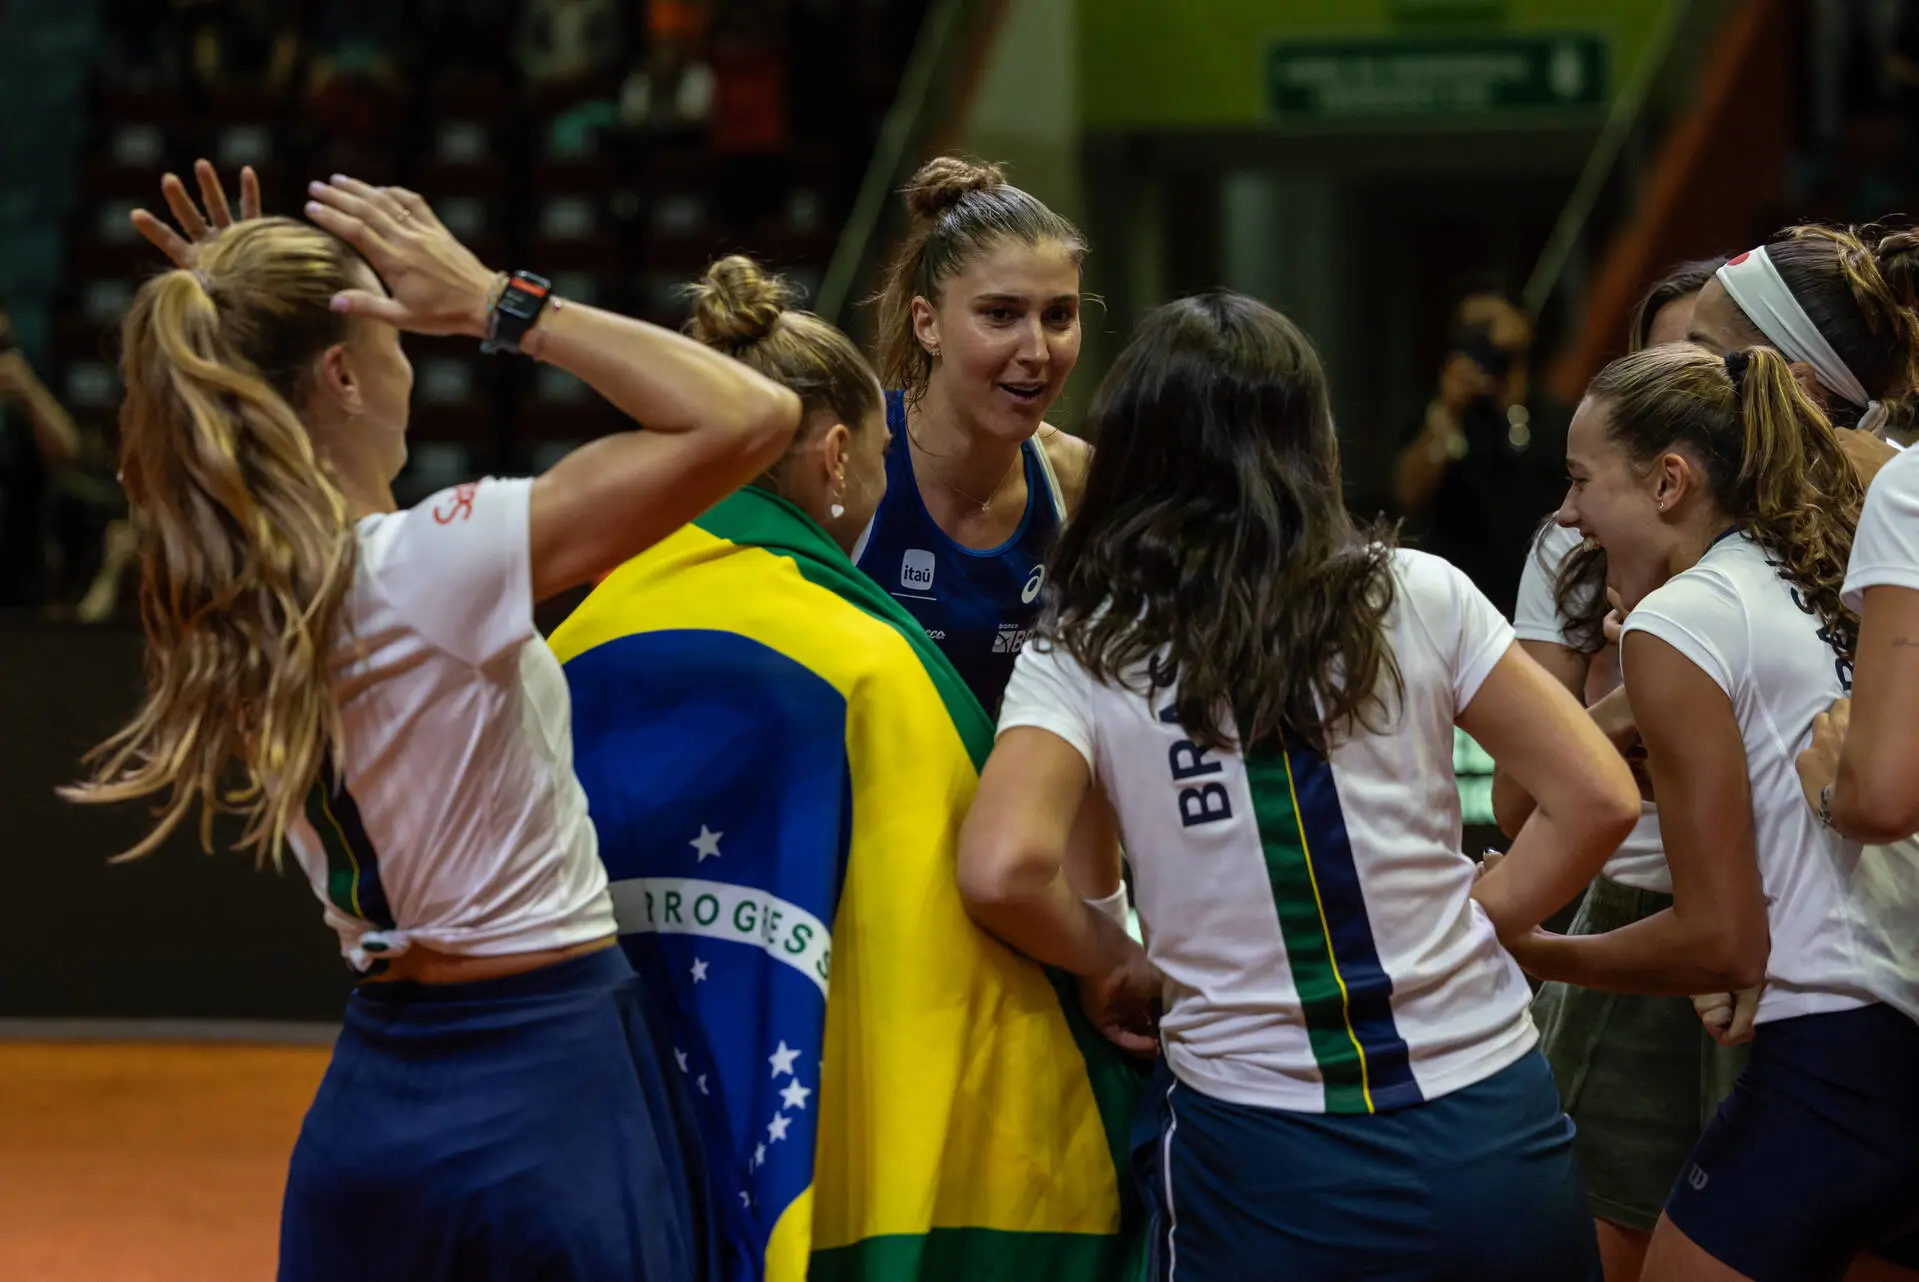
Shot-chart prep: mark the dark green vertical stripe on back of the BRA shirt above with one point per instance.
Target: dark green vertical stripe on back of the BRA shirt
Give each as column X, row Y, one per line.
column 1304, row 932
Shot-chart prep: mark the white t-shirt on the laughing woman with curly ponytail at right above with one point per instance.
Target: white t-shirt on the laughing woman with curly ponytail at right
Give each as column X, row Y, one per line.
column 1839, row 914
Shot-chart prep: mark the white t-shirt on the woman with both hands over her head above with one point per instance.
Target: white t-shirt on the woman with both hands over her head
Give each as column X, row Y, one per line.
column 462, row 822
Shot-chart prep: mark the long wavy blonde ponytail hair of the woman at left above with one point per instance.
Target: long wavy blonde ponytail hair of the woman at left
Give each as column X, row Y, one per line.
column 247, row 550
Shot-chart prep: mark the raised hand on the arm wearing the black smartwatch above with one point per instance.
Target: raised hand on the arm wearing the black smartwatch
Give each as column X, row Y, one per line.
column 435, row 283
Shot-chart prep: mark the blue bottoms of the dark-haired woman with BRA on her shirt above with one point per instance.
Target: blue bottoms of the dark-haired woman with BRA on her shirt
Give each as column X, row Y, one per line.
column 1475, row 1187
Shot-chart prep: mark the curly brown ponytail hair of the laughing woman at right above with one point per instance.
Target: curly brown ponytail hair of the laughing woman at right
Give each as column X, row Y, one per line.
column 1768, row 454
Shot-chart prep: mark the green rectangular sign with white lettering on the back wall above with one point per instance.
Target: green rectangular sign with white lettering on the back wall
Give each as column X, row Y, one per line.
column 1465, row 76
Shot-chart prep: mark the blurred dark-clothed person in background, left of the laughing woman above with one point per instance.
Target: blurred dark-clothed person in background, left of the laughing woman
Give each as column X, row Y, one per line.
column 1484, row 460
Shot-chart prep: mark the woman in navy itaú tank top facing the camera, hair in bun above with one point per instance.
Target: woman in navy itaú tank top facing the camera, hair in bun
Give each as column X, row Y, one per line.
column 980, row 329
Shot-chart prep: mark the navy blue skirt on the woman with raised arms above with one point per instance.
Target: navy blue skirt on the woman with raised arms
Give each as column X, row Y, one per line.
column 506, row 1129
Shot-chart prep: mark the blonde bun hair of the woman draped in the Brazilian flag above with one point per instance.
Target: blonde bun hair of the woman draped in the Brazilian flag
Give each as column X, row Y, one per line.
column 747, row 314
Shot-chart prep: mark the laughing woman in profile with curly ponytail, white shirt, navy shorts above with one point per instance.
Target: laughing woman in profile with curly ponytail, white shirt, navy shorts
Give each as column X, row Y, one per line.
column 1728, row 510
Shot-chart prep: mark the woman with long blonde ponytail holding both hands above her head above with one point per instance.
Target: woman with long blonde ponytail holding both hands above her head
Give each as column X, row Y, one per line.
column 366, row 686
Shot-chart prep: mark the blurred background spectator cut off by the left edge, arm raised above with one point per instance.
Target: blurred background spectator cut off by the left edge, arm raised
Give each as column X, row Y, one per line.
column 37, row 439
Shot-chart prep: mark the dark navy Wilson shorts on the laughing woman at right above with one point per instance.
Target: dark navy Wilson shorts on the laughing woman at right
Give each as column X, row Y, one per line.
column 1816, row 1152
